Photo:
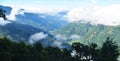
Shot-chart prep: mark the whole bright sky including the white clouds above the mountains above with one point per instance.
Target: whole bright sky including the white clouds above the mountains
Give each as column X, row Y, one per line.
column 106, row 12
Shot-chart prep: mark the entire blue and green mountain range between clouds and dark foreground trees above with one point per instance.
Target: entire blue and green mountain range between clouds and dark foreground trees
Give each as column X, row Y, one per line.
column 56, row 30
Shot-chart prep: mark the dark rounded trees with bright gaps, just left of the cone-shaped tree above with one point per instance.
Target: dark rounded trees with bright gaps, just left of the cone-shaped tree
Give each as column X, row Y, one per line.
column 85, row 52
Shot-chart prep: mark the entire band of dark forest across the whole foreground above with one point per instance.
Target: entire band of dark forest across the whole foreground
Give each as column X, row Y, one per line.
column 21, row 51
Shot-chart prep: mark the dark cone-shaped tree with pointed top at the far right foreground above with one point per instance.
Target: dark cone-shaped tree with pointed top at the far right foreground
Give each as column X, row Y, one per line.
column 109, row 51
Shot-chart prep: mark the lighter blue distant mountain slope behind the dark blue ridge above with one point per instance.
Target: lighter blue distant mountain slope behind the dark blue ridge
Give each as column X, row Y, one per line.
column 41, row 21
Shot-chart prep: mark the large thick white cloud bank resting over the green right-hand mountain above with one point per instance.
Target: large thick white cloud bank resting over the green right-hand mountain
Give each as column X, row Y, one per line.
column 108, row 15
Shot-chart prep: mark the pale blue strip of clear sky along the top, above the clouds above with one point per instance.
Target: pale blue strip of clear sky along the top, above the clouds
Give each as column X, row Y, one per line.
column 58, row 3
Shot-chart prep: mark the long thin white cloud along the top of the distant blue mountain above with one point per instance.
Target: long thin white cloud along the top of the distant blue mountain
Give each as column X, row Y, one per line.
column 20, row 10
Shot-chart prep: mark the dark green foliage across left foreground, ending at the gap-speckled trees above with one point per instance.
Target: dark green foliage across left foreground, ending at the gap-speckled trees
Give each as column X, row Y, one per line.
column 20, row 51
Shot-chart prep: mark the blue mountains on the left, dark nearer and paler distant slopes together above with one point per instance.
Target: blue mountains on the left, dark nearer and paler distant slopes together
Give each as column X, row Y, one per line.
column 33, row 27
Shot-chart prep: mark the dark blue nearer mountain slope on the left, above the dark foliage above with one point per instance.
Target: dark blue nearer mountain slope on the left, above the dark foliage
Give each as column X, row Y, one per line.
column 19, row 31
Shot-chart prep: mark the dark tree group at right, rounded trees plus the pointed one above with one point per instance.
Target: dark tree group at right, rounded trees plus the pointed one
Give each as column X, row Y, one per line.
column 108, row 52
